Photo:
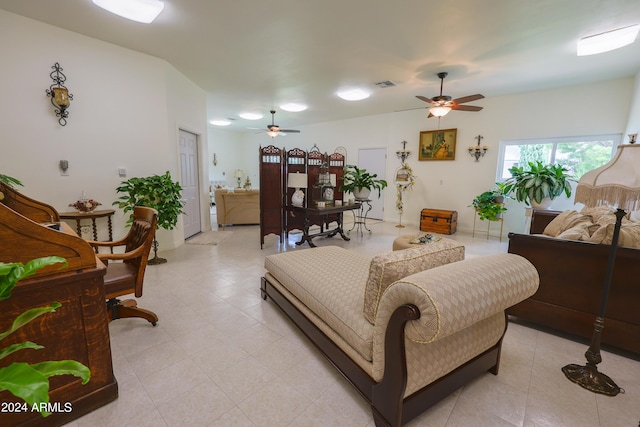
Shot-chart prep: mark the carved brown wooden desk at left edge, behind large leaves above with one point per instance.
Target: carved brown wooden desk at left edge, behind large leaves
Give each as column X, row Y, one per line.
column 78, row 330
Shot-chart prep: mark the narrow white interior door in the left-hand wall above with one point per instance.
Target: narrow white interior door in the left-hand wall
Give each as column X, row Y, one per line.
column 190, row 183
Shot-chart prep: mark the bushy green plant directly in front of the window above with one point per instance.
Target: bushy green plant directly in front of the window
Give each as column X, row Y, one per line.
column 539, row 182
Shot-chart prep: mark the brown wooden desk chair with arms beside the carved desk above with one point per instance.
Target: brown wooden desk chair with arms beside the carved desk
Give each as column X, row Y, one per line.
column 126, row 277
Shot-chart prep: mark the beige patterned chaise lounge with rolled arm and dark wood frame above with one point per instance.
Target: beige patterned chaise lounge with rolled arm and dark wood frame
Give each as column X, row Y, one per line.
column 406, row 328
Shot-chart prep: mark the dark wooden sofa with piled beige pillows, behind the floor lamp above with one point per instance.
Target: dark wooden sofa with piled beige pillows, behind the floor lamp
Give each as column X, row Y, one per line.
column 570, row 250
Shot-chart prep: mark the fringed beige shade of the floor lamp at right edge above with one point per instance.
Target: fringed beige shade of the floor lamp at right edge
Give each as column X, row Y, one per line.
column 616, row 184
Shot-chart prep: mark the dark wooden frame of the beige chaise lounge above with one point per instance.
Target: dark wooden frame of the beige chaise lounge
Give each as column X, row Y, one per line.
column 386, row 397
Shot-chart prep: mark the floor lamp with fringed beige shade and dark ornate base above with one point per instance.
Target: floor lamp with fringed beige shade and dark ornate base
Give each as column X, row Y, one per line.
column 616, row 184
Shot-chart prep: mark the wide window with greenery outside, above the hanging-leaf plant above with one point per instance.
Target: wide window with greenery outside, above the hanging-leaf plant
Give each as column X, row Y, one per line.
column 579, row 154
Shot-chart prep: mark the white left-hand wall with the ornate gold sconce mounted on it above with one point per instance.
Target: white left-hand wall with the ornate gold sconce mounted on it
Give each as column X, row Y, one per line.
column 126, row 110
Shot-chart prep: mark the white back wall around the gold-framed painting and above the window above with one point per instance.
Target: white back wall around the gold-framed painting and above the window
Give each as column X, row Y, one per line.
column 453, row 184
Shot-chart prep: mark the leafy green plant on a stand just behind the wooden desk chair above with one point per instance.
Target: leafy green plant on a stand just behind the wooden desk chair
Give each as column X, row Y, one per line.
column 159, row 192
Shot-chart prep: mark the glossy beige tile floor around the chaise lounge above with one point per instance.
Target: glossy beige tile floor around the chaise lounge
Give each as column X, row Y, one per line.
column 221, row 356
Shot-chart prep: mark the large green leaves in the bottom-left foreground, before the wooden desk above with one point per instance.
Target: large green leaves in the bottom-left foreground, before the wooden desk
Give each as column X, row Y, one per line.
column 30, row 382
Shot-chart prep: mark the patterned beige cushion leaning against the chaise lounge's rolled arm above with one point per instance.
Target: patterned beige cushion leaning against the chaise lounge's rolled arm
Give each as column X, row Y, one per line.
column 391, row 266
